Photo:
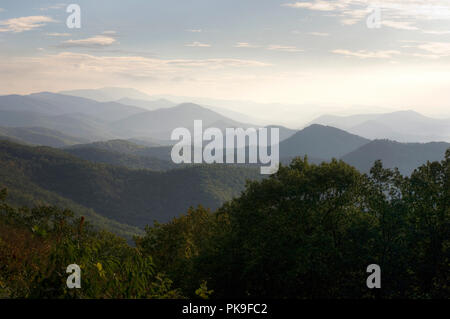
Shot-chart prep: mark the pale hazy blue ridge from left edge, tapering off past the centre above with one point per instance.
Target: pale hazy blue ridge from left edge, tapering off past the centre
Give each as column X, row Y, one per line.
column 95, row 121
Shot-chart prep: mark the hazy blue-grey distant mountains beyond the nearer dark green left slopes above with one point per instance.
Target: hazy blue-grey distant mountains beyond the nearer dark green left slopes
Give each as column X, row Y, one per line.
column 60, row 120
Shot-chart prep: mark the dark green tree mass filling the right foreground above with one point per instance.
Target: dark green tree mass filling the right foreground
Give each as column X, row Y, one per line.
column 310, row 231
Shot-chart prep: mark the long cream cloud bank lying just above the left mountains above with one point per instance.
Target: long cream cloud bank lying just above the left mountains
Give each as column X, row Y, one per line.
column 71, row 69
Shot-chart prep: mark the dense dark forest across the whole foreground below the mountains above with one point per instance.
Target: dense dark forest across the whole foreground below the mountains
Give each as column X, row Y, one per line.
column 308, row 231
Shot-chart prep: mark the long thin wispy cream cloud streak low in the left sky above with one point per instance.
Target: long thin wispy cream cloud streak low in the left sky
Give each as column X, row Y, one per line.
column 85, row 66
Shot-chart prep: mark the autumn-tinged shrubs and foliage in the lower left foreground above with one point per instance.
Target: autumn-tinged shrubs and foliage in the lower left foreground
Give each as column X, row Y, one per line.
column 37, row 245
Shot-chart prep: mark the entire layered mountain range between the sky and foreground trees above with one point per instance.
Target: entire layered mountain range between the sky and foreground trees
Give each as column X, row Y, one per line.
column 110, row 160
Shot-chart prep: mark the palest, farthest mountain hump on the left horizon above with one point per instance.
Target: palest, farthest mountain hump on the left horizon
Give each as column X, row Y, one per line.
column 108, row 94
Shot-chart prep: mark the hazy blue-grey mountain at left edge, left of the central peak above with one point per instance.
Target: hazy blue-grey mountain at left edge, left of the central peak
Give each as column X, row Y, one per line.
column 74, row 116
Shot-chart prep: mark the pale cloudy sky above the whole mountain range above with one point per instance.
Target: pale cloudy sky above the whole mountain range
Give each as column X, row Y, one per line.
column 357, row 55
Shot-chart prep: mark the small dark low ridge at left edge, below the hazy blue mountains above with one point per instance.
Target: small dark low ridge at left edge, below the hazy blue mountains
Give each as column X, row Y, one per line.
column 39, row 136
